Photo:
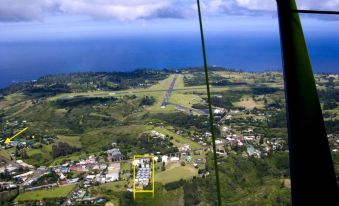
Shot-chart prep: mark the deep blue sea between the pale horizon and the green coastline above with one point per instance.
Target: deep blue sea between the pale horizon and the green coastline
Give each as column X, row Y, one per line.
column 22, row 61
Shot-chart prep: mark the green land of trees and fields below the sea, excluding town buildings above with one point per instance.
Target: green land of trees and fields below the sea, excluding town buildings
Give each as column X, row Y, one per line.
column 73, row 116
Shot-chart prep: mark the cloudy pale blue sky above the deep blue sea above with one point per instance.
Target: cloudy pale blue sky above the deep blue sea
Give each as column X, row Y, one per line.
column 23, row 20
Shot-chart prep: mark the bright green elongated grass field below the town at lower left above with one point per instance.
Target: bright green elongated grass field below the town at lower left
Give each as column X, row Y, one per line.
column 56, row 192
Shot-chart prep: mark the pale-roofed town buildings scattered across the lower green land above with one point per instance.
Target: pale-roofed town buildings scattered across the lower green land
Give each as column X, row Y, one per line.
column 83, row 174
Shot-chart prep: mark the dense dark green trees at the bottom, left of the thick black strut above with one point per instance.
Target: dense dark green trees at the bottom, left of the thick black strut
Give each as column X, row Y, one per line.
column 244, row 182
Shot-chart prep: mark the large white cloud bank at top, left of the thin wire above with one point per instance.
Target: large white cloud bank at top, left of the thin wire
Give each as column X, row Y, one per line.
column 23, row 10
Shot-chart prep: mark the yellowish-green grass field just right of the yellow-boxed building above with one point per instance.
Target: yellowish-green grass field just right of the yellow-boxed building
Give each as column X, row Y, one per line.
column 175, row 172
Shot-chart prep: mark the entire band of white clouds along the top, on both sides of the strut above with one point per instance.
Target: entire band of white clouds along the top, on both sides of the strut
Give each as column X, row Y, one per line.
column 128, row 10
